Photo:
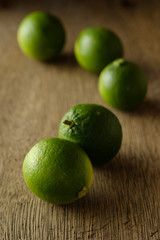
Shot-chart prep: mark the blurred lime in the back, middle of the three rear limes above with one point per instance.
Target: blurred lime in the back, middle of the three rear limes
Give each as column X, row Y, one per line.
column 96, row 47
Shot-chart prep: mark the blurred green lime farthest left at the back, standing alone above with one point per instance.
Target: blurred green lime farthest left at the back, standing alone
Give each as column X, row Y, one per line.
column 41, row 36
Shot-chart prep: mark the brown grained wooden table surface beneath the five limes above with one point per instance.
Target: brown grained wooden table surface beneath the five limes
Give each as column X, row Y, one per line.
column 124, row 200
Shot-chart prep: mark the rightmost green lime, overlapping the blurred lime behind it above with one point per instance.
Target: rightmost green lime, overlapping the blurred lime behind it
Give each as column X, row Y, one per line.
column 122, row 84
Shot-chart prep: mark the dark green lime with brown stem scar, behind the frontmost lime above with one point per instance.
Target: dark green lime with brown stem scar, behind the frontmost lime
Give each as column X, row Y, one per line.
column 96, row 129
